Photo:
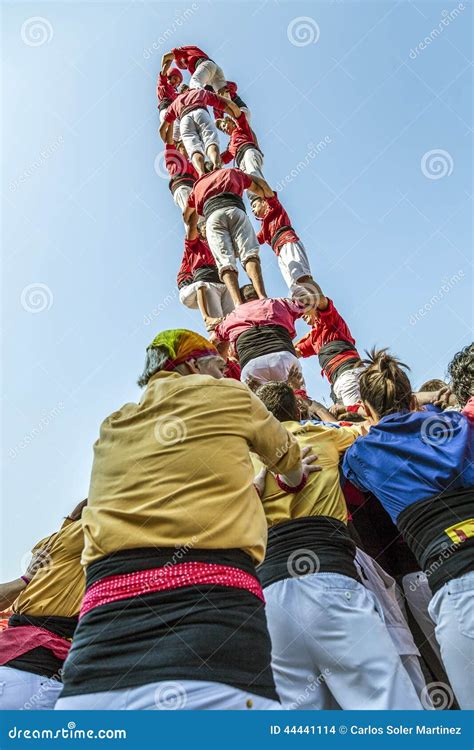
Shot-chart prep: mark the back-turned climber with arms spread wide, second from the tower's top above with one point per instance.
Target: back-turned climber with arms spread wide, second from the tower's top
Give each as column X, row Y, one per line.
column 198, row 132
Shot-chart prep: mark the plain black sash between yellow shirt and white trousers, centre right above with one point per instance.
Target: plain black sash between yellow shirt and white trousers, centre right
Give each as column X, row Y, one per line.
column 305, row 546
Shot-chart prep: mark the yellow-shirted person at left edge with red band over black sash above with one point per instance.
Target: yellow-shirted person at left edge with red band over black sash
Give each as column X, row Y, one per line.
column 45, row 603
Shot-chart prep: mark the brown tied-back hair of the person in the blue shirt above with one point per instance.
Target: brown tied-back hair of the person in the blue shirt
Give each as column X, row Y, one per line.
column 383, row 383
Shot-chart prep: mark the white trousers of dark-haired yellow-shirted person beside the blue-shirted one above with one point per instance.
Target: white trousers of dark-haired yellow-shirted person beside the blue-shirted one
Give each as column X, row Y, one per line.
column 331, row 649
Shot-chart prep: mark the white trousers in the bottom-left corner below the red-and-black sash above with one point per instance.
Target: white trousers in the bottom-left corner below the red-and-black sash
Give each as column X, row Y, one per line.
column 24, row 691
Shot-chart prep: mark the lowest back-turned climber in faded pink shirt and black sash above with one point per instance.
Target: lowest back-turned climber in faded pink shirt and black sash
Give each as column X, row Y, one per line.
column 262, row 332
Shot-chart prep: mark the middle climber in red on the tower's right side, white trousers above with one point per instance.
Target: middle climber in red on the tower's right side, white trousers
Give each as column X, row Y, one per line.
column 277, row 231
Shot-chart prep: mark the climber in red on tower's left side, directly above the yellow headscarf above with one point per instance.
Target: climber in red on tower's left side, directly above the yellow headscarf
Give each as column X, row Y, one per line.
column 198, row 279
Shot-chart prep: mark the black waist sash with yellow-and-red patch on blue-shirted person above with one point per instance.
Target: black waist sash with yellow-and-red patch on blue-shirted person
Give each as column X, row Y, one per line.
column 425, row 526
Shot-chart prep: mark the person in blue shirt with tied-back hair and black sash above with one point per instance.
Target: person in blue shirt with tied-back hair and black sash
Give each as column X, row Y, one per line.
column 420, row 465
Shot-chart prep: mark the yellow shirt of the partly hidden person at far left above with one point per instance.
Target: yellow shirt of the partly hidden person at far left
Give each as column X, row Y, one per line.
column 57, row 588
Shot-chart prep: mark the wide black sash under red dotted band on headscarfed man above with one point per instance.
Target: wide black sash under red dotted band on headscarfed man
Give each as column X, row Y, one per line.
column 200, row 632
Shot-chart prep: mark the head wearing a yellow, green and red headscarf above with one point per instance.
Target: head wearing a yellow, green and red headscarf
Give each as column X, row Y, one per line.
column 182, row 351
